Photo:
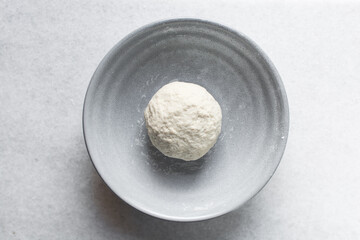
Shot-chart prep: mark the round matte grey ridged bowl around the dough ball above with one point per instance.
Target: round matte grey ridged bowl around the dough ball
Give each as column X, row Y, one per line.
column 240, row 77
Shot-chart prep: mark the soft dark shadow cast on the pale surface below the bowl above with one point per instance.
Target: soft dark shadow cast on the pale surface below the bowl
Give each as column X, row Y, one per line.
column 127, row 222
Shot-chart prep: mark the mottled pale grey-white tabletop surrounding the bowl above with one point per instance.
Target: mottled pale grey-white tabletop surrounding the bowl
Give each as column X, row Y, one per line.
column 48, row 186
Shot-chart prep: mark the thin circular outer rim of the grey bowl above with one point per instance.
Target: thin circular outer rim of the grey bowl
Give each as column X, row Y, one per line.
column 285, row 118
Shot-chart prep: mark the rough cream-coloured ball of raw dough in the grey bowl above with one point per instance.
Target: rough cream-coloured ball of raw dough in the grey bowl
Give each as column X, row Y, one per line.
column 183, row 120
